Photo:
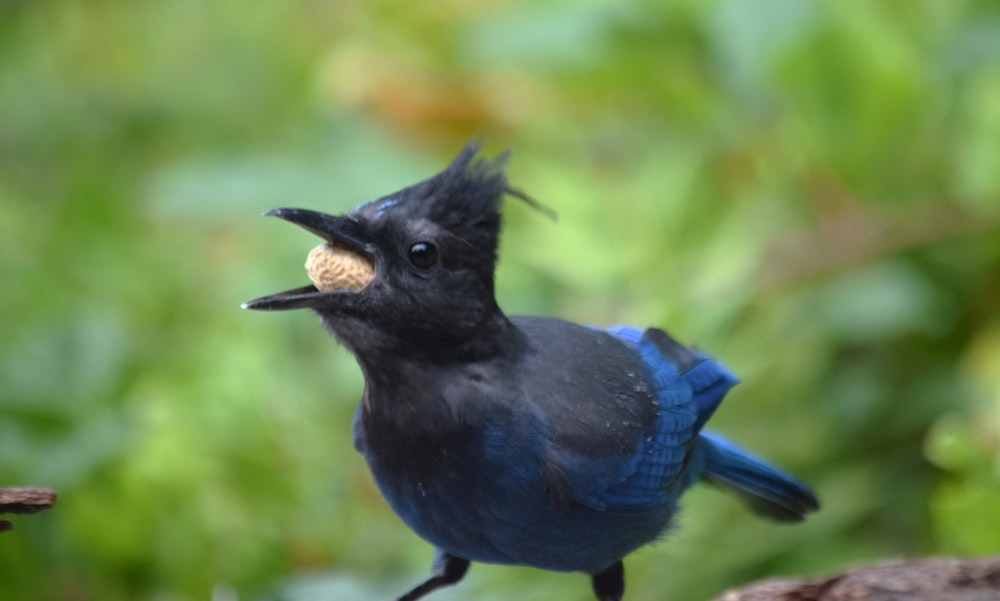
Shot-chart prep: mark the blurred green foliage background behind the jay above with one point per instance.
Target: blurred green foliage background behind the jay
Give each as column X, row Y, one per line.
column 807, row 189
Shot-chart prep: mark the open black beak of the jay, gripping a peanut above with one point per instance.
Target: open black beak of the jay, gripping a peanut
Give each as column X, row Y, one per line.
column 335, row 229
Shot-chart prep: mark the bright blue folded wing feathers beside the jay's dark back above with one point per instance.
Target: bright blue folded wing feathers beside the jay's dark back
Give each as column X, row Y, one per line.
column 689, row 386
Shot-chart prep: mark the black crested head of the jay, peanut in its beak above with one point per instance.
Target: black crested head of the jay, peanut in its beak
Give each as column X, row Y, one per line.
column 411, row 269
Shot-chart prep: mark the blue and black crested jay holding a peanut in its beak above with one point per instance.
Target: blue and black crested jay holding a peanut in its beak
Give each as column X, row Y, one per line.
column 518, row 440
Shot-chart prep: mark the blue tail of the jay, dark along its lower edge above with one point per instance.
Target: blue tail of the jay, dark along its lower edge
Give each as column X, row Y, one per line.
column 767, row 490
